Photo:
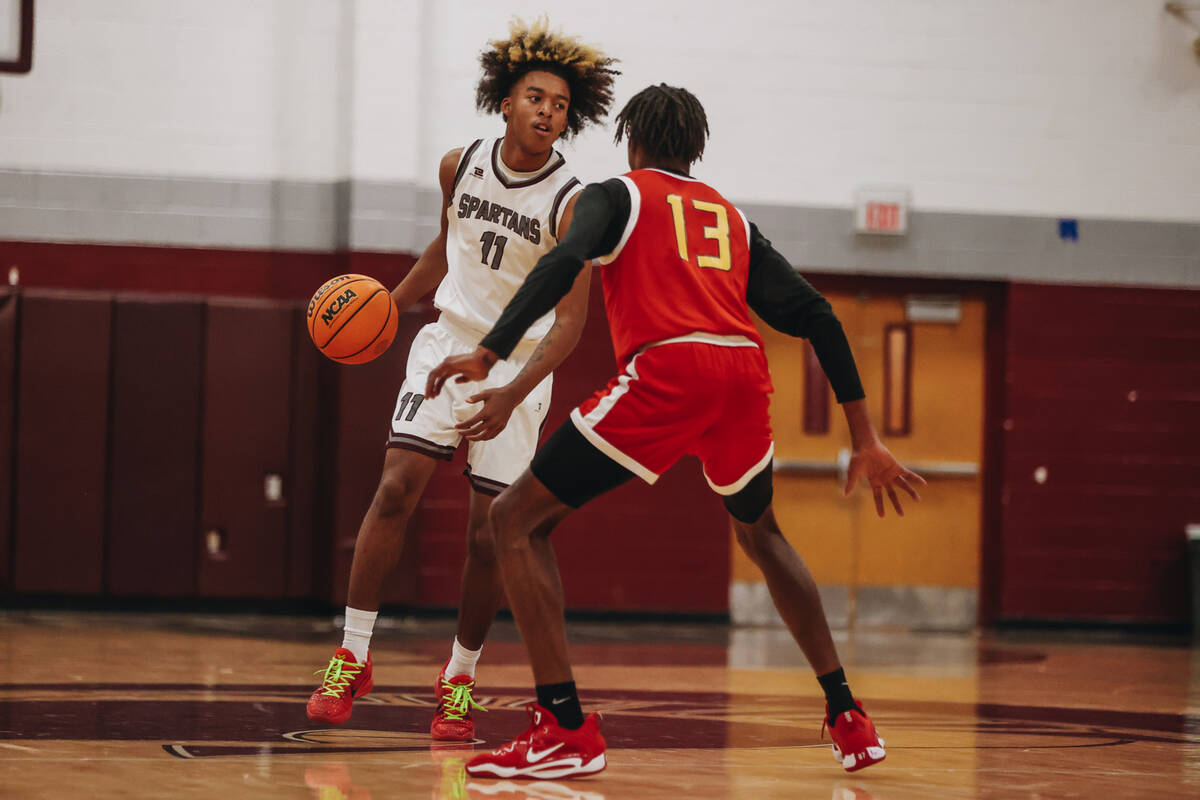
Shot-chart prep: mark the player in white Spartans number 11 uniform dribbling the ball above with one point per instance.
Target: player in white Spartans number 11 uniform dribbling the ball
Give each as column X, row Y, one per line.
column 506, row 203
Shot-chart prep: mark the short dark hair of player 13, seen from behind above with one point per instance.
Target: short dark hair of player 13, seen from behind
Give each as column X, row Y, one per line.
column 667, row 123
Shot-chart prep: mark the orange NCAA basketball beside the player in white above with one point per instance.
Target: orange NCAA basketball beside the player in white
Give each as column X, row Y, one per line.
column 352, row 318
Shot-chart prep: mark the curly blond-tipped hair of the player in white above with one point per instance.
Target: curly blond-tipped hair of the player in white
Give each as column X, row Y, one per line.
column 533, row 47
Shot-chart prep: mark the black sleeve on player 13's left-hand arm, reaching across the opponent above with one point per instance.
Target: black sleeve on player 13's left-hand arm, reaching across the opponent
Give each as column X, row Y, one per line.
column 597, row 226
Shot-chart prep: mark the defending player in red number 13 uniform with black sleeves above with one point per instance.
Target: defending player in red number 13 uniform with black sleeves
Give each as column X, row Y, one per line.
column 683, row 268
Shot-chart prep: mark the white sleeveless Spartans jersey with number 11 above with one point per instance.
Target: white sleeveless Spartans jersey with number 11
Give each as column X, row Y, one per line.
column 500, row 227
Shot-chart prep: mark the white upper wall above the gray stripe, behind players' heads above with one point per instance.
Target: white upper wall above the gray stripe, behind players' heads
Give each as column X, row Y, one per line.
column 1084, row 109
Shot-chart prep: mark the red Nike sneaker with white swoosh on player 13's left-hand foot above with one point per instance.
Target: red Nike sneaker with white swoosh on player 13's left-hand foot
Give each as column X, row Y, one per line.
column 545, row 751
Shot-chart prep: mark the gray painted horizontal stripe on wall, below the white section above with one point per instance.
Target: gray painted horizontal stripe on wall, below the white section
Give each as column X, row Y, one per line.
column 400, row 216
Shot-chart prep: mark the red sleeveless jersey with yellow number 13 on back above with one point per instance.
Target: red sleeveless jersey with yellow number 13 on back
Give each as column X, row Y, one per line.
column 681, row 268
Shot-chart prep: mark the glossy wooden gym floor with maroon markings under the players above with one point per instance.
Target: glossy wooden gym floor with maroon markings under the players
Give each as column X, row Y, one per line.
column 177, row 706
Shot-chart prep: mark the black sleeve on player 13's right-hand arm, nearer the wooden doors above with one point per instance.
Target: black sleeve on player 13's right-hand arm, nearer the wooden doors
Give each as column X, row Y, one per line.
column 789, row 304
